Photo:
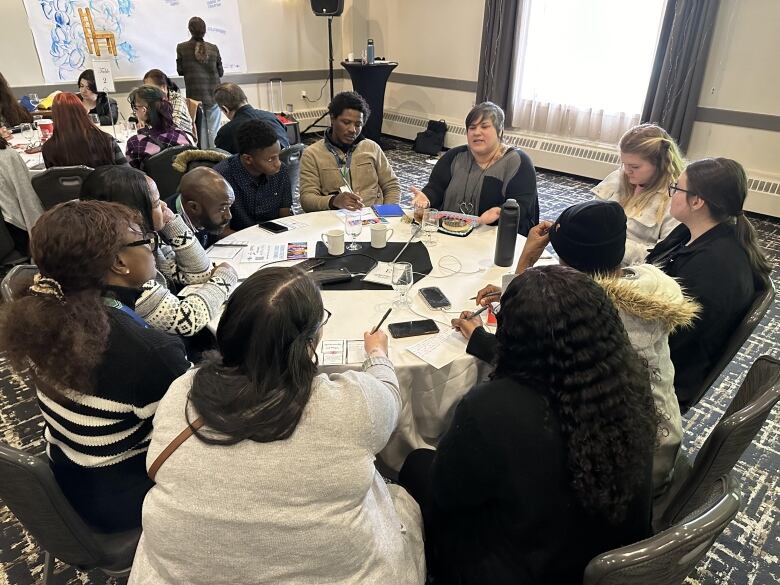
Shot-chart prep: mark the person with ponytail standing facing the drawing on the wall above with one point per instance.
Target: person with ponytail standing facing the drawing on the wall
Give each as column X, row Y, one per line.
column 200, row 64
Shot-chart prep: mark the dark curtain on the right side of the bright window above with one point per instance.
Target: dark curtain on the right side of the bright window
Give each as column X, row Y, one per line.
column 678, row 70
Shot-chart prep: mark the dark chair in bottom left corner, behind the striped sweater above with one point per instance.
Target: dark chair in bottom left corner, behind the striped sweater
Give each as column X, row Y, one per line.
column 31, row 492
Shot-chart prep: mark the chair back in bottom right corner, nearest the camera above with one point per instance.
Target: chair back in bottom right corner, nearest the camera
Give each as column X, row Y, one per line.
column 668, row 557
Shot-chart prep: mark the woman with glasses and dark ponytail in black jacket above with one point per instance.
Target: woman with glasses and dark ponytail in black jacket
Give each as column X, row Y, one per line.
column 716, row 258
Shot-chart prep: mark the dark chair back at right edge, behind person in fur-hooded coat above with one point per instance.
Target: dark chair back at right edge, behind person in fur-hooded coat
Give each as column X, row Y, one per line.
column 744, row 417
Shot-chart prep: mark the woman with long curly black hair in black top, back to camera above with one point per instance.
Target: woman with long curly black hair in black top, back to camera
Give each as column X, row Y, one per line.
column 549, row 463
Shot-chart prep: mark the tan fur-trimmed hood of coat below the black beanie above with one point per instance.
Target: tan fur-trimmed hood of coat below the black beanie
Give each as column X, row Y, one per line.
column 649, row 294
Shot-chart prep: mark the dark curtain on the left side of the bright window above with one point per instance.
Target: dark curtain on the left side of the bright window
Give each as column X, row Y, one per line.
column 497, row 53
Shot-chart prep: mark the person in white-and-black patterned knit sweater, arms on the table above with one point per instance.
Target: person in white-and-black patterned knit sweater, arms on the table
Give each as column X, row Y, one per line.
column 179, row 257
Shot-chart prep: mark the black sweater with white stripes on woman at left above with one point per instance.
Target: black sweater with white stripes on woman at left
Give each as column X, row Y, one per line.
column 97, row 442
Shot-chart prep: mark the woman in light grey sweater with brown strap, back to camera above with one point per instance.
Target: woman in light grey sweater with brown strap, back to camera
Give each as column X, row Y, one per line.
column 280, row 477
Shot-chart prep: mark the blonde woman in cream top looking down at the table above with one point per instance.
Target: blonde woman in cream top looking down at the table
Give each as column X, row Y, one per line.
column 651, row 162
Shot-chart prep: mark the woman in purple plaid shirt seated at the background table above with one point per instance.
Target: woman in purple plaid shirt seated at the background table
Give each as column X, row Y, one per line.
column 158, row 131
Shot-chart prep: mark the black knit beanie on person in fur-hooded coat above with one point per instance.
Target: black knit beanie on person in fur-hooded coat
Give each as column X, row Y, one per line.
column 591, row 236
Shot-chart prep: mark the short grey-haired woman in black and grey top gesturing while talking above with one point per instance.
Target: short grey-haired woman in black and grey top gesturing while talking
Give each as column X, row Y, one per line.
column 478, row 177
